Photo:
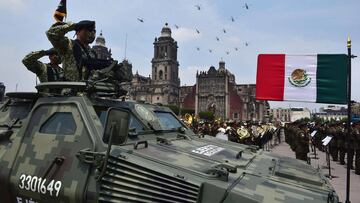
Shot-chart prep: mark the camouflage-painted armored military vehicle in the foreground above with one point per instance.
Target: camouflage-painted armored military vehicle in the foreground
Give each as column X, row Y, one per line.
column 88, row 146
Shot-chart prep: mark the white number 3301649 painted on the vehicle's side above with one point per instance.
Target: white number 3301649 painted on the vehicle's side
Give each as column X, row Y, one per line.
column 39, row 185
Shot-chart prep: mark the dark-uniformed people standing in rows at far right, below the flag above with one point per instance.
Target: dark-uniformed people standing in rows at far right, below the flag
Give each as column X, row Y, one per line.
column 303, row 137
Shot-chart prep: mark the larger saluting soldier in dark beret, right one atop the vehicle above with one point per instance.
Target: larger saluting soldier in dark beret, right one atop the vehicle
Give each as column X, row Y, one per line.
column 77, row 57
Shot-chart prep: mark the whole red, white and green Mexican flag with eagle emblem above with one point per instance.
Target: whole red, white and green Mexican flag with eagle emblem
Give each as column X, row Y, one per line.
column 320, row 78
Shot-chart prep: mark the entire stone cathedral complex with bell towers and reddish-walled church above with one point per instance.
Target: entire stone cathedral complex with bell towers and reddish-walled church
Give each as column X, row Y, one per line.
column 215, row 90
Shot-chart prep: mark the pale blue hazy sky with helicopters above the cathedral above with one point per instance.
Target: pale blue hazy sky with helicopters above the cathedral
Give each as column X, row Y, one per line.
column 271, row 26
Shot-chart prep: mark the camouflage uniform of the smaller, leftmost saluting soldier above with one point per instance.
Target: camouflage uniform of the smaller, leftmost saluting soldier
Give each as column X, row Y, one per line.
column 45, row 72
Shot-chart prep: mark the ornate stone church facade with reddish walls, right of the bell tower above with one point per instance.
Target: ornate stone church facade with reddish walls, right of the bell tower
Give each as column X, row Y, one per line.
column 216, row 91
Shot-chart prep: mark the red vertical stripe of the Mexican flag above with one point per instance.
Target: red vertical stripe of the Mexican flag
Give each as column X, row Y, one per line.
column 270, row 77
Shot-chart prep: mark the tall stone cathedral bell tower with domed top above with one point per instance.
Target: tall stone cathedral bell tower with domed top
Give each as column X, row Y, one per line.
column 165, row 69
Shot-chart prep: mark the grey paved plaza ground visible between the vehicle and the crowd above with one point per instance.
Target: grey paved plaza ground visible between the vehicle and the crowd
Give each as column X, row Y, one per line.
column 339, row 182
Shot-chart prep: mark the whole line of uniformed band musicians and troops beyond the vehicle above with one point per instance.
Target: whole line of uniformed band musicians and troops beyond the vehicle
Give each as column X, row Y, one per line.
column 297, row 135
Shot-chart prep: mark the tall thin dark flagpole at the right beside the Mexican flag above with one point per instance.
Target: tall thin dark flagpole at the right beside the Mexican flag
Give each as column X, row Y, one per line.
column 348, row 122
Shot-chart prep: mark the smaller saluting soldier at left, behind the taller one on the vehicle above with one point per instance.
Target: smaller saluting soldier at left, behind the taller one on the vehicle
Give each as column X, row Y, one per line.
column 45, row 72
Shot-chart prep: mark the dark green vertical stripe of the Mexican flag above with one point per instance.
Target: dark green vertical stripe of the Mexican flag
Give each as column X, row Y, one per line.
column 332, row 71
